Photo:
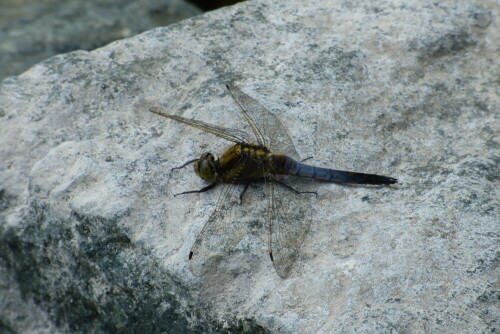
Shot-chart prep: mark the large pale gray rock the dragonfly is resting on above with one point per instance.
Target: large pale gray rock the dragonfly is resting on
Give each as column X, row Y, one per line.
column 92, row 239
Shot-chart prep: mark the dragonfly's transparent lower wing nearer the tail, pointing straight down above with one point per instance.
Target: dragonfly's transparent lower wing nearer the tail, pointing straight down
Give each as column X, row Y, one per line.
column 289, row 219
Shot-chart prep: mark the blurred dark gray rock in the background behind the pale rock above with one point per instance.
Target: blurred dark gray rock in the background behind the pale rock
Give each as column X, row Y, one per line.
column 31, row 31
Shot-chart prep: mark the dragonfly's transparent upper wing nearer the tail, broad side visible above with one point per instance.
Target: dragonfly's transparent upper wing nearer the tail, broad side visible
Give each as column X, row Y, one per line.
column 267, row 128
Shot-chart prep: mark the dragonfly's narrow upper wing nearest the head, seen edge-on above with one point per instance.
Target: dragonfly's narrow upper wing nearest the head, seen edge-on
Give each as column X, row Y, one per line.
column 233, row 135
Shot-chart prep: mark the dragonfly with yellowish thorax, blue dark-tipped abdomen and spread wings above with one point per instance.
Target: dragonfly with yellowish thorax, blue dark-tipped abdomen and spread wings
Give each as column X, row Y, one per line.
column 266, row 156
